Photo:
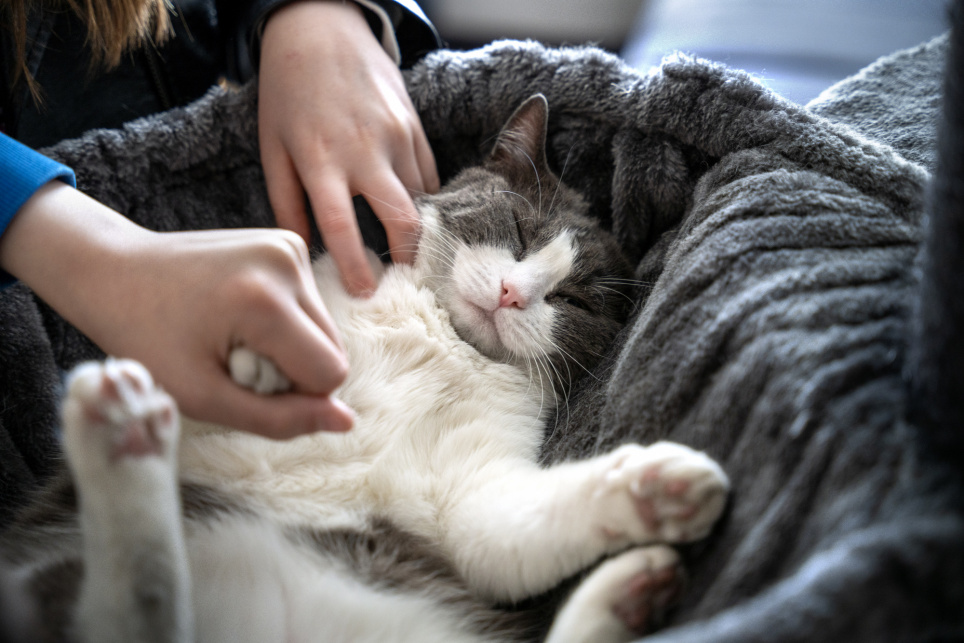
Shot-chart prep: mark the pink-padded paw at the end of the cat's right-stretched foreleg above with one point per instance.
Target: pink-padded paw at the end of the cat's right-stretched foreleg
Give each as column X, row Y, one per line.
column 676, row 493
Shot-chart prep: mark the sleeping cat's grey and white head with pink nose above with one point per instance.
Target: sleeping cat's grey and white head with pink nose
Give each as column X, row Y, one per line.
column 526, row 276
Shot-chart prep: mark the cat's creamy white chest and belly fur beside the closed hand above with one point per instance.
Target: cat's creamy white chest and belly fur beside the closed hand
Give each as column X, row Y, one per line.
column 430, row 410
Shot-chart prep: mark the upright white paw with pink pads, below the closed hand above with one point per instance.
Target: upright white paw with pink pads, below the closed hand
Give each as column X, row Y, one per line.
column 113, row 411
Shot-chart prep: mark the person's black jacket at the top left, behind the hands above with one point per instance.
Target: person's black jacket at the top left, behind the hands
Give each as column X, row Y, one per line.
column 213, row 39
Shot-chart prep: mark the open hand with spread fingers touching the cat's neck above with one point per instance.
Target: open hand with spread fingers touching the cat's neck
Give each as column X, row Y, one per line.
column 335, row 120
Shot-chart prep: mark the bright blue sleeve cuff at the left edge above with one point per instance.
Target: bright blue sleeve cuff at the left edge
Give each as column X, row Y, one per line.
column 23, row 172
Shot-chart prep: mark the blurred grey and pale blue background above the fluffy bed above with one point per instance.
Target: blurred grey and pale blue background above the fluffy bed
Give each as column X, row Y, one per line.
column 796, row 47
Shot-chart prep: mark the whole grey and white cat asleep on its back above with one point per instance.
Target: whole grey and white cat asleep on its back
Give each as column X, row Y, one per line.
column 428, row 517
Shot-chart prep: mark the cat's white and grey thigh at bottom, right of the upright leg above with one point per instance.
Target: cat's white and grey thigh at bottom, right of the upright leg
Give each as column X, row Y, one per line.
column 256, row 582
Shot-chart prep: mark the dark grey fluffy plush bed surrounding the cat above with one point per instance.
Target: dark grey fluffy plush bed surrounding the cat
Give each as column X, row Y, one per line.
column 777, row 246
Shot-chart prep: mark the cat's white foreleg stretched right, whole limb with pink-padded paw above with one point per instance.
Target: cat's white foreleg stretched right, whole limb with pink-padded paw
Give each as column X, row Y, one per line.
column 515, row 530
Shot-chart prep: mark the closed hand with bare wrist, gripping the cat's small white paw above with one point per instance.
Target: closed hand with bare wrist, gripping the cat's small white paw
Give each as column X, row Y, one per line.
column 180, row 302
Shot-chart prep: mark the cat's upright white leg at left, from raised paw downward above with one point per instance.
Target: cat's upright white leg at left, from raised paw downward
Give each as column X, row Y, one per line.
column 120, row 435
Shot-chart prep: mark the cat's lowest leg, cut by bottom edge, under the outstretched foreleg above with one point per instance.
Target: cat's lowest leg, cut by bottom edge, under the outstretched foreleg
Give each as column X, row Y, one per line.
column 622, row 599
